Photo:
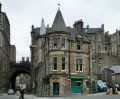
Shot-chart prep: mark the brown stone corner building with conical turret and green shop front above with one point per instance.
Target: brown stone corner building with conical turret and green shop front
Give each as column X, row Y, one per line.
column 60, row 58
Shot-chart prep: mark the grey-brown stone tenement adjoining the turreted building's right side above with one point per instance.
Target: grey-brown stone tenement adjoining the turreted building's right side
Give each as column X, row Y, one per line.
column 102, row 50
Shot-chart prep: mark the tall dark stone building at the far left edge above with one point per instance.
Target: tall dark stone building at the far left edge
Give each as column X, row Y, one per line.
column 4, row 51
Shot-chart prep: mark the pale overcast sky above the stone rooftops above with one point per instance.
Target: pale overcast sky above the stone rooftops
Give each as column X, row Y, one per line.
column 23, row 13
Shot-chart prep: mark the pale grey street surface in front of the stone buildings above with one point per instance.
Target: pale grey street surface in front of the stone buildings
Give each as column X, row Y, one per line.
column 75, row 96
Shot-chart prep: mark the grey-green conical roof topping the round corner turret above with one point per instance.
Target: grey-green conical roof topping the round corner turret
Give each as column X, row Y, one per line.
column 58, row 24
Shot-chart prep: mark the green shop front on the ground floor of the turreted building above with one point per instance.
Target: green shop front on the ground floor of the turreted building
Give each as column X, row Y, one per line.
column 77, row 83
